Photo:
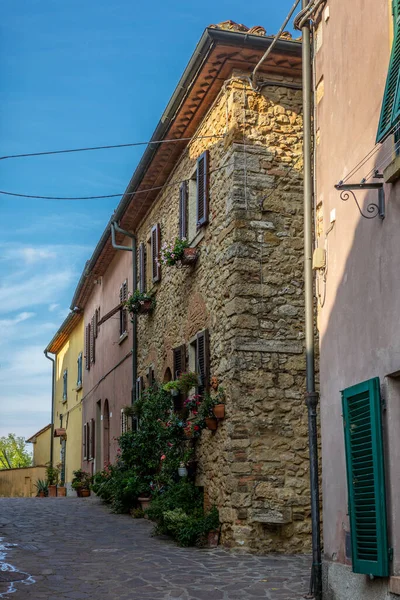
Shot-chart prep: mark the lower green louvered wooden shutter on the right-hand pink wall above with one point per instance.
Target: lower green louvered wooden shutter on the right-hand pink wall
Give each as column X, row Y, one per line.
column 366, row 478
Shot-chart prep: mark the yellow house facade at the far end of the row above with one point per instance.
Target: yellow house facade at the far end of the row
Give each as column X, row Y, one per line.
column 67, row 346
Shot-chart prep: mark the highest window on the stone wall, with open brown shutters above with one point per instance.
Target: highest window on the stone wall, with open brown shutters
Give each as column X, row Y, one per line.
column 193, row 199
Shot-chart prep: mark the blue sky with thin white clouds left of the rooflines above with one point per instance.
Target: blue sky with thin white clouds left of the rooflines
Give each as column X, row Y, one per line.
column 75, row 74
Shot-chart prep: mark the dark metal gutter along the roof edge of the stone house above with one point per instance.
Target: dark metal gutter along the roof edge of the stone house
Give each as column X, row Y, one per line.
column 210, row 37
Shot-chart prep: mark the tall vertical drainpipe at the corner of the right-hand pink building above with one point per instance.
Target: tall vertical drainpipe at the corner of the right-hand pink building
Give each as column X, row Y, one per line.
column 311, row 394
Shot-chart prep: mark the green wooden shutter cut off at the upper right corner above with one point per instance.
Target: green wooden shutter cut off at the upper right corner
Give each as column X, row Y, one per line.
column 390, row 110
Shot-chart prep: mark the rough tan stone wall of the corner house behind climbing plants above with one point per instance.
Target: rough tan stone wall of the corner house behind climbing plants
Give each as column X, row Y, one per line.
column 247, row 290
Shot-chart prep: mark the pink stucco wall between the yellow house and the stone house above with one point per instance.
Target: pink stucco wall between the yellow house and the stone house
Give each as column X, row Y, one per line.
column 116, row 386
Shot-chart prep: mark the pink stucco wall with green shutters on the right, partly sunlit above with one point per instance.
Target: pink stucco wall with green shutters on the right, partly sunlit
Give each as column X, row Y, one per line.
column 358, row 322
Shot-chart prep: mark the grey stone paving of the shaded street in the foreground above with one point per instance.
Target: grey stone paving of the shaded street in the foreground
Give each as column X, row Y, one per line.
column 73, row 548
